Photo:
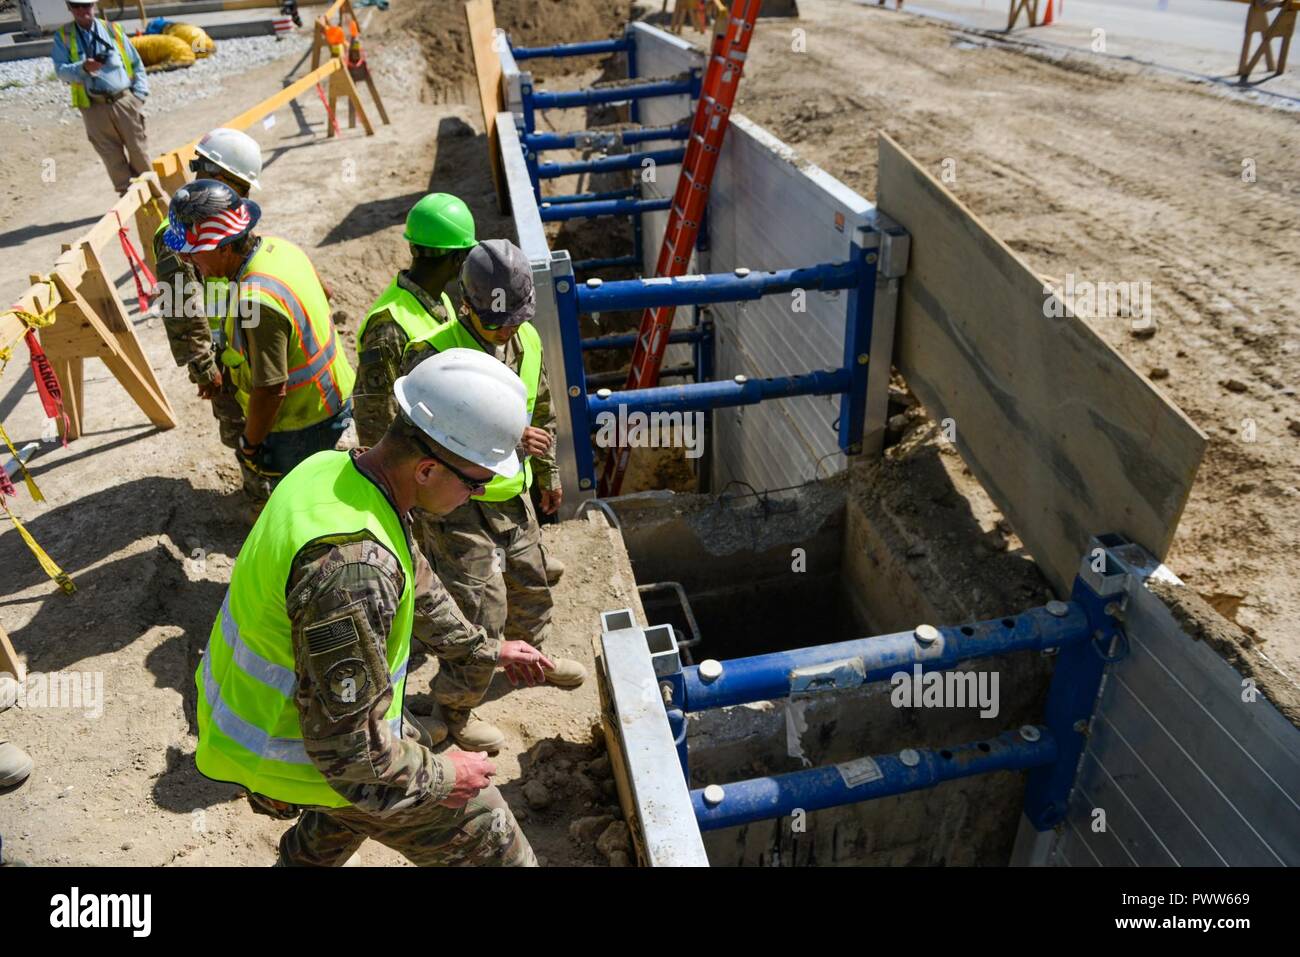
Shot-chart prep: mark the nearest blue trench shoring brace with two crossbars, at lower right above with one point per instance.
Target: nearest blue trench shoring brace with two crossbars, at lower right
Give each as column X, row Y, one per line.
column 1081, row 633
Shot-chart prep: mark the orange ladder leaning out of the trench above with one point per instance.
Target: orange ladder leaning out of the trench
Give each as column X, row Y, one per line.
column 690, row 201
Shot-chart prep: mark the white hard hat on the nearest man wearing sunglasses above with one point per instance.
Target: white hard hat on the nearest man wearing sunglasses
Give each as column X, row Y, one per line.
column 471, row 405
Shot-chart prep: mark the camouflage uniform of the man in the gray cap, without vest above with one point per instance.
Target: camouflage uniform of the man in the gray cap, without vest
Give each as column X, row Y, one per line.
column 491, row 555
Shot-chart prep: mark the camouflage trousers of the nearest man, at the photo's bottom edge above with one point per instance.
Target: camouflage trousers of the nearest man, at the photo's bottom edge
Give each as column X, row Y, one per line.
column 482, row 834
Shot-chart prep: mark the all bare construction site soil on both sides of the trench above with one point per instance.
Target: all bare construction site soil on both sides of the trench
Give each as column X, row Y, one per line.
column 1100, row 172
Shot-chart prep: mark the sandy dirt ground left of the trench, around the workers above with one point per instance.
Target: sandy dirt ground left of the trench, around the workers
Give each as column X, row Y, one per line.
column 149, row 522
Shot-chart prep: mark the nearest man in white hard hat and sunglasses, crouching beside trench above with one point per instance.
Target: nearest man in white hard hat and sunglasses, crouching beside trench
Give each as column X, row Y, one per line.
column 301, row 690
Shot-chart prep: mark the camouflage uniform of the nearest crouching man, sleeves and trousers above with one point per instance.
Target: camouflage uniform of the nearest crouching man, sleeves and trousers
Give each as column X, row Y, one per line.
column 395, row 785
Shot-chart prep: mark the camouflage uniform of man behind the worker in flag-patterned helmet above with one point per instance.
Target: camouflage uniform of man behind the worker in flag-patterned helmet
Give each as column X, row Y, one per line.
column 190, row 337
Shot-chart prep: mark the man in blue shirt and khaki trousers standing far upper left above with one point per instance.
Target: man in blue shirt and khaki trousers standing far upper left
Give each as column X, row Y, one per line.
column 109, row 89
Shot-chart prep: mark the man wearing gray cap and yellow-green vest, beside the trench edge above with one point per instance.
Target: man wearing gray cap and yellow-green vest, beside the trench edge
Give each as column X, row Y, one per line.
column 489, row 552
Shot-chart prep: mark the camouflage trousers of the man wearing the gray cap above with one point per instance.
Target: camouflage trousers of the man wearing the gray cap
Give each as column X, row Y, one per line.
column 491, row 557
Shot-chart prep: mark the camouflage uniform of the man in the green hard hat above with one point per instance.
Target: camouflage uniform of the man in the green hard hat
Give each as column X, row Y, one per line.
column 380, row 363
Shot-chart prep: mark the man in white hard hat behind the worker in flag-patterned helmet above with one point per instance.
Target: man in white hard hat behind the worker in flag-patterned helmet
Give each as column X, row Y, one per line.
column 193, row 309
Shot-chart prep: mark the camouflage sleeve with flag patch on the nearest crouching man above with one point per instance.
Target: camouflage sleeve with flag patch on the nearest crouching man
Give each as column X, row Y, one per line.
column 341, row 599
